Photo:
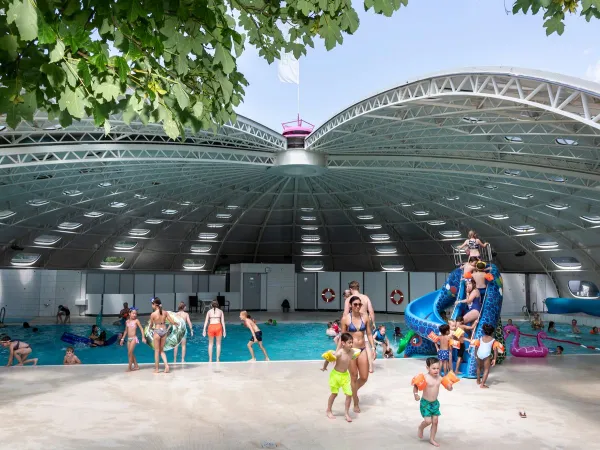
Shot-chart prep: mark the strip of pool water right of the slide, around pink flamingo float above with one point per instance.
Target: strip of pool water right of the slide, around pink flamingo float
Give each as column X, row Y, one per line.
column 563, row 331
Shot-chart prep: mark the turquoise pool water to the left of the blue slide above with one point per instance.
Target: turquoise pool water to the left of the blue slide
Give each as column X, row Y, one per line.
column 298, row 341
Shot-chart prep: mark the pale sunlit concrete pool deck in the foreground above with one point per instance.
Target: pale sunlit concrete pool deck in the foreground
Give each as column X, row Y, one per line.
column 248, row 405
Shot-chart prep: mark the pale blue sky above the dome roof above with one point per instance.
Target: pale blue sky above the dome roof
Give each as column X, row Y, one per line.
column 427, row 36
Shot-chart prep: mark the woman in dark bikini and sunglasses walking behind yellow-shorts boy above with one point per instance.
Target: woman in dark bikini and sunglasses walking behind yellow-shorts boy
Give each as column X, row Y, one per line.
column 357, row 324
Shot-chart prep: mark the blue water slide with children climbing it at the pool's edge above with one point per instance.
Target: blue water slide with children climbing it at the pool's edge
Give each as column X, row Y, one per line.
column 423, row 315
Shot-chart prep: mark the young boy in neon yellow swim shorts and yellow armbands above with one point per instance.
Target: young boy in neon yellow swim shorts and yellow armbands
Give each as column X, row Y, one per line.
column 340, row 376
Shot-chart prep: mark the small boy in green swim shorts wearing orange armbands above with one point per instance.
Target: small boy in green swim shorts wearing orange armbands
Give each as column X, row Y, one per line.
column 430, row 405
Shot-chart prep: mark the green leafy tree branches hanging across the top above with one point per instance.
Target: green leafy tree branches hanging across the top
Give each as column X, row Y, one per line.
column 172, row 62
